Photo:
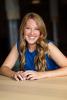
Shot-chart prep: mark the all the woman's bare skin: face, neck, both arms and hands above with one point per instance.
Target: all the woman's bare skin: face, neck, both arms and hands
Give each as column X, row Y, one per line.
column 31, row 35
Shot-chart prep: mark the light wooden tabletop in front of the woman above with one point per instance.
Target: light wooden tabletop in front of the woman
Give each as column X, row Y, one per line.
column 43, row 89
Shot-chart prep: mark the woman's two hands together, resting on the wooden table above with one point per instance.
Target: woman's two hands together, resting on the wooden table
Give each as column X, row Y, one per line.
column 28, row 75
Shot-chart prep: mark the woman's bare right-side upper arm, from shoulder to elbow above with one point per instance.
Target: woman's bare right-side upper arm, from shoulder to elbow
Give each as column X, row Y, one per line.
column 57, row 55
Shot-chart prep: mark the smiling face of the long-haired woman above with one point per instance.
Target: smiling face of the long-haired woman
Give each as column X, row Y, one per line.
column 31, row 32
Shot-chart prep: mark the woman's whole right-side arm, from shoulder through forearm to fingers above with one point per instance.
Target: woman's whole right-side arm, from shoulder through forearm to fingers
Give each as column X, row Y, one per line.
column 60, row 60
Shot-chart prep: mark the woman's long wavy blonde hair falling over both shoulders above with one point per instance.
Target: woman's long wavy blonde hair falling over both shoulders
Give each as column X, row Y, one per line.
column 42, row 48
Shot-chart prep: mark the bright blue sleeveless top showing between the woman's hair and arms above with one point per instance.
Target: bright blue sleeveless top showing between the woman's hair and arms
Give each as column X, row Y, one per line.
column 29, row 56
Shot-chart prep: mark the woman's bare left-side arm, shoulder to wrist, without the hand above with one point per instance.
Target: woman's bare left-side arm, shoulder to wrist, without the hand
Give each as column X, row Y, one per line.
column 6, row 68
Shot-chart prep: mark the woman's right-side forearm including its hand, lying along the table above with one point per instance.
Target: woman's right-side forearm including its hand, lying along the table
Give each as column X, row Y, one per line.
column 33, row 75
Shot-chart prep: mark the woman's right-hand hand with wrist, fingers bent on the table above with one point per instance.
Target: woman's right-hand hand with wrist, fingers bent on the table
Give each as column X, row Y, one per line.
column 33, row 75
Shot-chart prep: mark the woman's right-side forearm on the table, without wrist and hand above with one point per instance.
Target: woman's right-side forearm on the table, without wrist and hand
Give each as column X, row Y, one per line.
column 56, row 73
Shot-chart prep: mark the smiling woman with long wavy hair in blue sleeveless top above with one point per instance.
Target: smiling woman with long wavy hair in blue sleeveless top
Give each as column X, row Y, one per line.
column 36, row 55
